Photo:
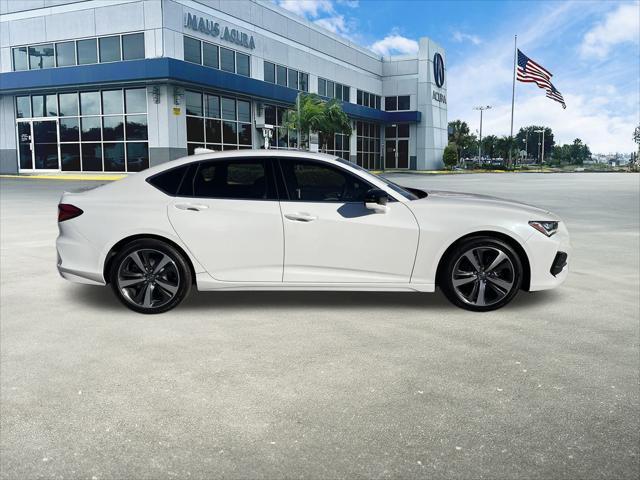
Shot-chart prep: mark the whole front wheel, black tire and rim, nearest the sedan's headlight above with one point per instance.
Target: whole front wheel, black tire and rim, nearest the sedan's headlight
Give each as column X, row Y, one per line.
column 477, row 288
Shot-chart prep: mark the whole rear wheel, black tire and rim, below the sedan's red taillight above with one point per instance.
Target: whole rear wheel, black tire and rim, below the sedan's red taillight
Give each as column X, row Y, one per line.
column 163, row 290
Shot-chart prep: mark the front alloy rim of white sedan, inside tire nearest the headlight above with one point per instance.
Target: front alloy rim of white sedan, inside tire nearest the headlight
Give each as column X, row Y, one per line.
column 483, row 276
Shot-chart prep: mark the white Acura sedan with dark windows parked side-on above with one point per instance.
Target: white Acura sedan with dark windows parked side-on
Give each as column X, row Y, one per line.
column 284, row 220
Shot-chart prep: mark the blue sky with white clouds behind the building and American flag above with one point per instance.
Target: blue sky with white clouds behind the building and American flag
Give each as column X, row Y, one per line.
column 591, row 48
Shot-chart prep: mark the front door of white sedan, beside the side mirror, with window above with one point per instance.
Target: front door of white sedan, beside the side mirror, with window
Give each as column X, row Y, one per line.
column 330, row 237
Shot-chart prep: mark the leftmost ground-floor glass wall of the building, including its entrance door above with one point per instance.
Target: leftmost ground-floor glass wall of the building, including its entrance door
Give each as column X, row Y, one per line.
column 98, row 130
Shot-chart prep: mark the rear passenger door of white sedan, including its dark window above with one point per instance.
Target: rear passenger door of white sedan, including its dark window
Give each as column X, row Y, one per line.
column 228, row 215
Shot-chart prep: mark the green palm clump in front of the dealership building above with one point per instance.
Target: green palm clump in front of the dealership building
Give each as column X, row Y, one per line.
column 317, row 115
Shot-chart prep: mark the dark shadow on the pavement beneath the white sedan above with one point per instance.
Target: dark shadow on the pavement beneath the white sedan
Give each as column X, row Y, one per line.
column 104, row 298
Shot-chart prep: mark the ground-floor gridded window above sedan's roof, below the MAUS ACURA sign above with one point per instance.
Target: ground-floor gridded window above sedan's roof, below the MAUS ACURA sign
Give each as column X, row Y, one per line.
column 217, row 122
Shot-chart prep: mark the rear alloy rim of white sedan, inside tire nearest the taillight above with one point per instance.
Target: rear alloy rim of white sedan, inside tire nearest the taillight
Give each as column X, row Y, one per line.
column 148, row 278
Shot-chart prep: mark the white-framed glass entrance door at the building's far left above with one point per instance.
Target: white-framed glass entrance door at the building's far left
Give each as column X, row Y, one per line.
column 38, row 145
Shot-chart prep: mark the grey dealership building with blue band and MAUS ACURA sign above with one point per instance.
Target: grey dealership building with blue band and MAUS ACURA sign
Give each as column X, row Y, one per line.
column 95, row 86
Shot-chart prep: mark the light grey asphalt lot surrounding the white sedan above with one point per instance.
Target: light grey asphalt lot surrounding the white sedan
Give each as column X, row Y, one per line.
column 328, row 385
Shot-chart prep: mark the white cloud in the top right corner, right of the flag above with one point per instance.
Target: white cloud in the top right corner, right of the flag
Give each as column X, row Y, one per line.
column 619, row 26
